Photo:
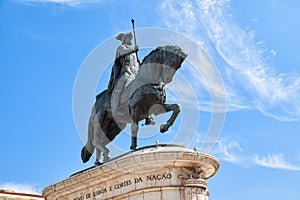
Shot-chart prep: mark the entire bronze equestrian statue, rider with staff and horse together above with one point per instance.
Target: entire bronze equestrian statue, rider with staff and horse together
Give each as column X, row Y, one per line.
column 135, row 92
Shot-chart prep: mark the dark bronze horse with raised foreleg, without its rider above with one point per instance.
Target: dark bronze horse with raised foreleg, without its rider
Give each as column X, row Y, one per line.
column 145, row 92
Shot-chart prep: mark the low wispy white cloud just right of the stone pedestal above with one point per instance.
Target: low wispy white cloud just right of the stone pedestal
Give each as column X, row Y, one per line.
column 232, row 152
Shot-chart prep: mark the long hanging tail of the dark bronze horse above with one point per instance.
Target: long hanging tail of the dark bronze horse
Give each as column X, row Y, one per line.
column 88, row 150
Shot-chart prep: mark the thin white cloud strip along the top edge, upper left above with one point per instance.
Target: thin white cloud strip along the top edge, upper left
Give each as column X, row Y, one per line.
column 71, row 3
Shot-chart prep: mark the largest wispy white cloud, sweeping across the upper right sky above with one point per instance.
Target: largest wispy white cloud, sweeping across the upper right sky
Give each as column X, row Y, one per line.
column 250, row 82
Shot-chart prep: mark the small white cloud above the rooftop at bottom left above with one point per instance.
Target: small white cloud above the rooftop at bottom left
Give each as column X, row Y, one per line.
column 20, row 187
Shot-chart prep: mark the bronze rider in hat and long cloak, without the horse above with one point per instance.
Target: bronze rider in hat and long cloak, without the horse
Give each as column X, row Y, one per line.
column 124, row 70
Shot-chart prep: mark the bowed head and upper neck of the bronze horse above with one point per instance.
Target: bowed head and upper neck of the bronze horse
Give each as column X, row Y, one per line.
column 165, row 61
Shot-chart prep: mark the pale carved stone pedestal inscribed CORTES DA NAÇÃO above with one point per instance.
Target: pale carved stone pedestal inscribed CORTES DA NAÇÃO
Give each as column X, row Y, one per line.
column 155, row 172
